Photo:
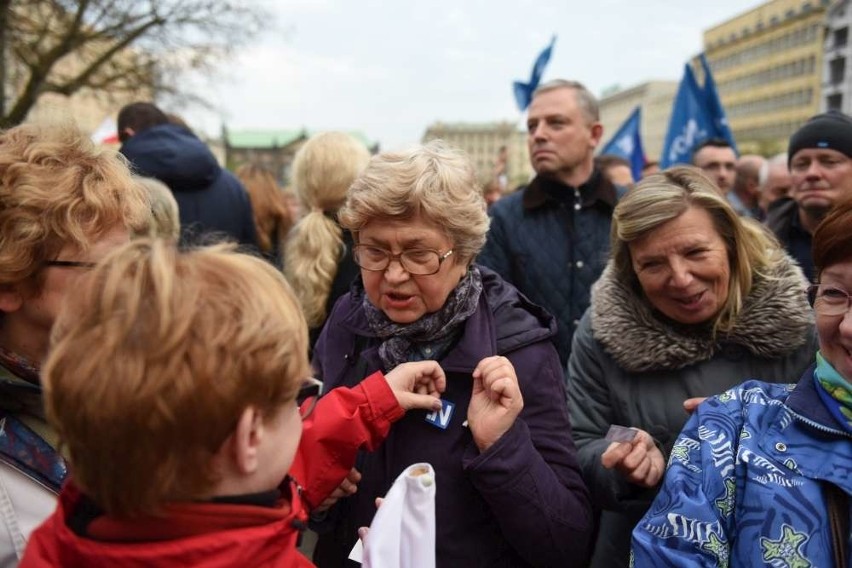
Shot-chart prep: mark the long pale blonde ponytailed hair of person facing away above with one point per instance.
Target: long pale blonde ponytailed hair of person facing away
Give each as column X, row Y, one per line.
column 323, row 169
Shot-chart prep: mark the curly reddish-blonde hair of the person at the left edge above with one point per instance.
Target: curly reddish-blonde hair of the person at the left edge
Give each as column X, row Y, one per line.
column 57, row 189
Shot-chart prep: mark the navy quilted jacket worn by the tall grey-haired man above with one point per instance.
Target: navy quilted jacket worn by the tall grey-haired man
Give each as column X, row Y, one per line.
column 552, row 242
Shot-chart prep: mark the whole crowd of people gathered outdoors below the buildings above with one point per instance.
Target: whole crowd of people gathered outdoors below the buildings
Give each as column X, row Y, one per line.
column 600, row 371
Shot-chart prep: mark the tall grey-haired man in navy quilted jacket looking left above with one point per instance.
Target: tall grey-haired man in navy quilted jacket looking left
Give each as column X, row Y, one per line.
column 551, row 239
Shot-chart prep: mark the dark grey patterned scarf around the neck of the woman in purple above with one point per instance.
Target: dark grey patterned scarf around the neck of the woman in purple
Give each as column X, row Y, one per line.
column 433, row 334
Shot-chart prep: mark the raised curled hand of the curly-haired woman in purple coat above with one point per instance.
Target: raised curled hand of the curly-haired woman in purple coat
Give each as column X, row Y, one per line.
column 495, row 402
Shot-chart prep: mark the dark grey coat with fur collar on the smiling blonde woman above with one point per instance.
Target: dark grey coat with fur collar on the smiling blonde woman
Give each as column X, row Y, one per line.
column 630, row 367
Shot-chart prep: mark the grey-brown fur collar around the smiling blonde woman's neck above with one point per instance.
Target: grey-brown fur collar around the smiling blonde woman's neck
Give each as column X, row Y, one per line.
column 775, row 320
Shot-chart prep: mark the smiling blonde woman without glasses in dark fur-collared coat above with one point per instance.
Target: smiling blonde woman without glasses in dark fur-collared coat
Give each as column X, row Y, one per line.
column 694, row 301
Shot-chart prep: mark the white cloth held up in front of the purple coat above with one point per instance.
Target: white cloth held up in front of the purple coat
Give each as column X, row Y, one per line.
column 402, row 534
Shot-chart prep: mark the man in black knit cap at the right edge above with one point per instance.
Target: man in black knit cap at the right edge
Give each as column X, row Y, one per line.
column 820, row 165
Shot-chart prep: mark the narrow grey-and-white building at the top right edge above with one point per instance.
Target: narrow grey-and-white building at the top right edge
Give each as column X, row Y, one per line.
column 837, row 58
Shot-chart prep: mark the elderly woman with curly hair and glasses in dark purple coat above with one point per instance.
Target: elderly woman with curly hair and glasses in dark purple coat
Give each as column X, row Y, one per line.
column 509, row 487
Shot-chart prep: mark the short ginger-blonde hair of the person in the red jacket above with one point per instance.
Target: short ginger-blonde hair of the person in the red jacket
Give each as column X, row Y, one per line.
column 177, row 345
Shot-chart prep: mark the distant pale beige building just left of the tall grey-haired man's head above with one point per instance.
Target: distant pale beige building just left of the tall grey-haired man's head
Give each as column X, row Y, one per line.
column 483, row 142
